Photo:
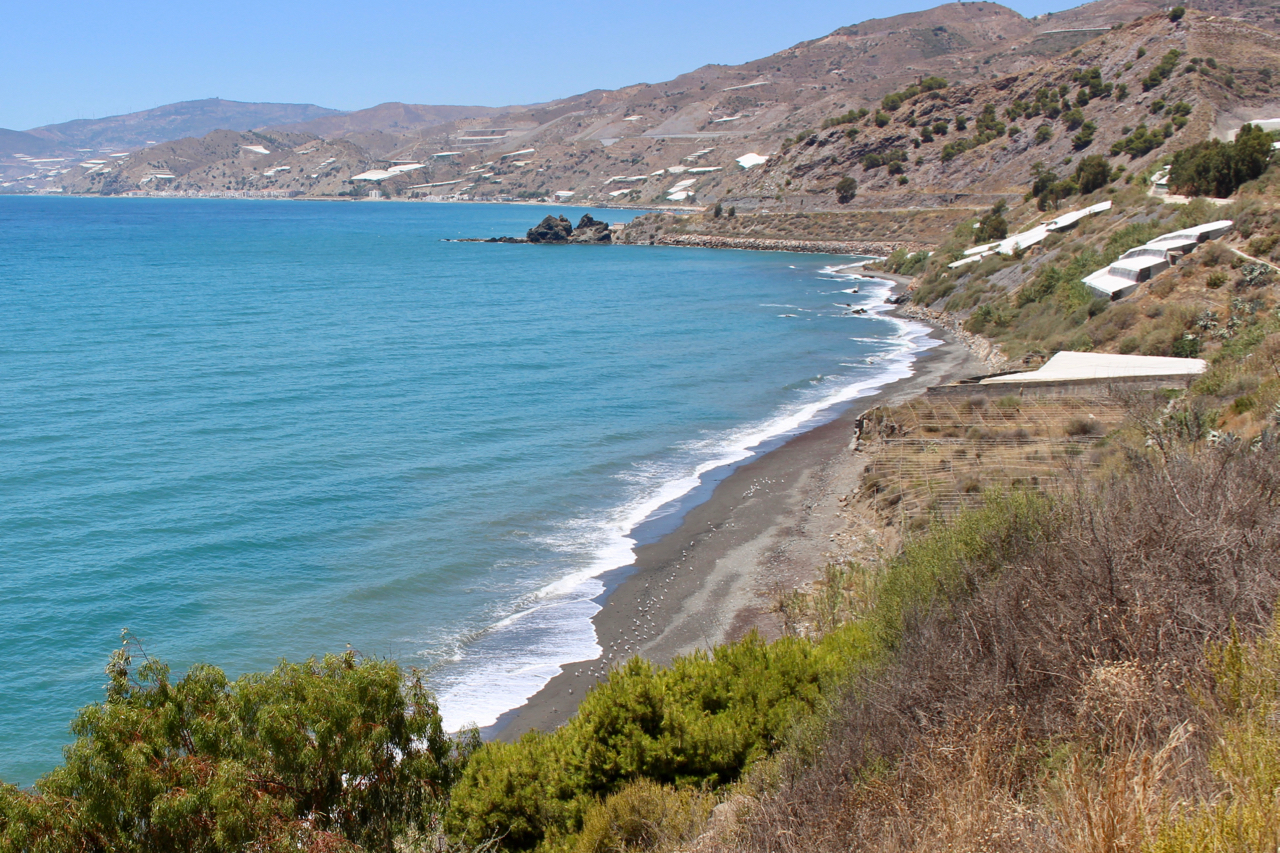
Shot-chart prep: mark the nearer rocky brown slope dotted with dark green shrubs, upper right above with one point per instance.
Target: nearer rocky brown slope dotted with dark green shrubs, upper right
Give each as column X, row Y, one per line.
column 922, row 158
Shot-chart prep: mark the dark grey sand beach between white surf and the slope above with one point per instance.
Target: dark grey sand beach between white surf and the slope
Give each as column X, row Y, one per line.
column 771, row 526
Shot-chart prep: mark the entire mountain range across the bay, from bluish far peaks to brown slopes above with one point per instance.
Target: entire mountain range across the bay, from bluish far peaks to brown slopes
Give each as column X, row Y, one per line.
column 618, row 147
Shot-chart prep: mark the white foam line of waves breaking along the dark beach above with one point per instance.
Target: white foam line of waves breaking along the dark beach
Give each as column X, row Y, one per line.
column 519, row 655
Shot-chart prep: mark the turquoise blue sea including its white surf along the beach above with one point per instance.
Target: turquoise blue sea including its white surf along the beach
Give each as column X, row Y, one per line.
column 252, row 431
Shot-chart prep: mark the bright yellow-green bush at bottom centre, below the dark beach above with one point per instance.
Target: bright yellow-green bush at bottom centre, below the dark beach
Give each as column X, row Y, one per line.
column 700, row 723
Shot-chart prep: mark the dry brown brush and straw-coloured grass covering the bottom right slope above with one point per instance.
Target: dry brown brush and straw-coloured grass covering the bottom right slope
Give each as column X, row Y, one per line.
column 1052, row 706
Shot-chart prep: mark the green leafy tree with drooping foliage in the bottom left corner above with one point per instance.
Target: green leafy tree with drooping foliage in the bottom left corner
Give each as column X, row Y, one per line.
column 319, row 756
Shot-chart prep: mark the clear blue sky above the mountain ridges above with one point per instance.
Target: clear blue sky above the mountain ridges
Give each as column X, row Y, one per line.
column 71, row 61
